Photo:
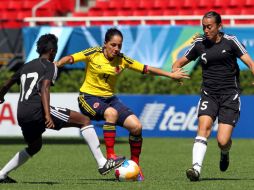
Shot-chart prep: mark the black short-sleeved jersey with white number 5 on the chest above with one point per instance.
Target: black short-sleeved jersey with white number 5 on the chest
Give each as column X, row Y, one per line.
column 220, row 70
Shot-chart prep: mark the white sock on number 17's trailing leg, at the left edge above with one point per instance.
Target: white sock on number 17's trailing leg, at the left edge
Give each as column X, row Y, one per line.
column 19, row 159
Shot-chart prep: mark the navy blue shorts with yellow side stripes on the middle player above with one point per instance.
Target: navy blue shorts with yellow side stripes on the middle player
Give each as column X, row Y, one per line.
column 95, row 106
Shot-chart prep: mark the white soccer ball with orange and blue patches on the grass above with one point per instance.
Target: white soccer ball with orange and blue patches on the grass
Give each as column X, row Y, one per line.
column 128, row 171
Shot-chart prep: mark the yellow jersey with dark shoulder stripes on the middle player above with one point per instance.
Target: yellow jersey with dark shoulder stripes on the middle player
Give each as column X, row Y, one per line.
column 100, row 73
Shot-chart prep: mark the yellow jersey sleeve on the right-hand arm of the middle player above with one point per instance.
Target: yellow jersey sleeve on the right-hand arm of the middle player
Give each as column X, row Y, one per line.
column 134, row 65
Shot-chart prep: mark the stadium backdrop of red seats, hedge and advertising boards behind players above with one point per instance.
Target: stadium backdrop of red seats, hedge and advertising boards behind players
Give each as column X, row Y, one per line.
column 156, row 32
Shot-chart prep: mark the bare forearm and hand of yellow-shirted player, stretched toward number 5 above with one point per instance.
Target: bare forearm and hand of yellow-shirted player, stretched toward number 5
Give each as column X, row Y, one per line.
column 179, row 74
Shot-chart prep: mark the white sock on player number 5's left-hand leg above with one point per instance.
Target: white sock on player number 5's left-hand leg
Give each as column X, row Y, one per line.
column 198, row 152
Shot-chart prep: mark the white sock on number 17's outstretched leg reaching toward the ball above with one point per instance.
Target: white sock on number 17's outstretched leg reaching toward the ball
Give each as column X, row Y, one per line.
column 92, row 140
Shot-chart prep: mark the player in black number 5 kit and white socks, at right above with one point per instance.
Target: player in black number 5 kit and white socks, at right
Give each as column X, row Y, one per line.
column 220, row 90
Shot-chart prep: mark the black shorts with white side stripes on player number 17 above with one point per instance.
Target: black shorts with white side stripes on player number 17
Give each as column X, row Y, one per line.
column 32, row 130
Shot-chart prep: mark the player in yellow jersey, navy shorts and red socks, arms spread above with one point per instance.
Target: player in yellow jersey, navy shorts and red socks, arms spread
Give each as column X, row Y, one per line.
column 97, row 99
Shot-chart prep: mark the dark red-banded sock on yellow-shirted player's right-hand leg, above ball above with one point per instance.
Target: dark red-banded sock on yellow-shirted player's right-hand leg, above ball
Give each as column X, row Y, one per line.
column 135, row 146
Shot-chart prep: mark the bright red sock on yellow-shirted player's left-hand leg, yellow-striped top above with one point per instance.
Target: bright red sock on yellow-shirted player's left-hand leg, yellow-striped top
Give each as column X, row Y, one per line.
column 109, row 132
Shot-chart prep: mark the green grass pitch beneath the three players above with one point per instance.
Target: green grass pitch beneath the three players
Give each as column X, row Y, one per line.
column 68, row 165
